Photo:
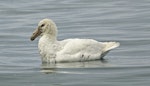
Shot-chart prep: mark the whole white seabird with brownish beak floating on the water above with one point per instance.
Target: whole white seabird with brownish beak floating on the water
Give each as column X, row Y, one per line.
column 69, row 50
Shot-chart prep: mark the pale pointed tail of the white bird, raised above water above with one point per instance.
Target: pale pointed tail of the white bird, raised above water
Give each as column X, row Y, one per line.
column 110, row 45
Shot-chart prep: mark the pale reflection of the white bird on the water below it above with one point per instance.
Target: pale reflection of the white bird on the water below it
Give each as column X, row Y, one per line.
column 48, row 68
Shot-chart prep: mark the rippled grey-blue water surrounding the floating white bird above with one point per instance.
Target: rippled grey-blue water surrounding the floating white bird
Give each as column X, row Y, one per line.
column 126, row 21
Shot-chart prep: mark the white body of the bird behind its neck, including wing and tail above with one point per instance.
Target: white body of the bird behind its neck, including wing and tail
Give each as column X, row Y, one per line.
column 84, row 50
